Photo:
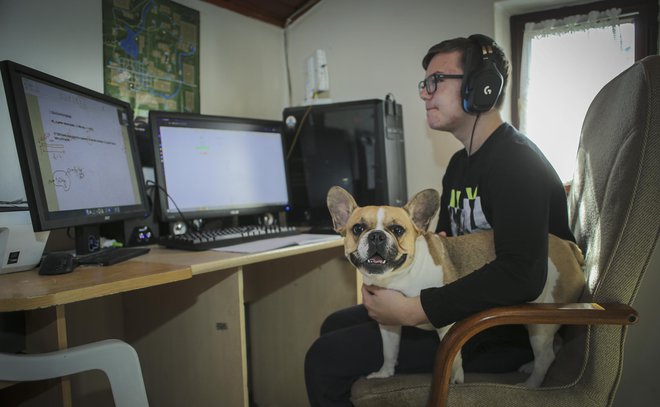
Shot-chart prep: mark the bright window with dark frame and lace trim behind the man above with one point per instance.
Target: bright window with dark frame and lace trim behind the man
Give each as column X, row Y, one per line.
column 563, row 57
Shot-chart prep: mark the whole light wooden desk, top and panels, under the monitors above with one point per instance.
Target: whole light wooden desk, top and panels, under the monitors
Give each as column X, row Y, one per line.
column 229, row 324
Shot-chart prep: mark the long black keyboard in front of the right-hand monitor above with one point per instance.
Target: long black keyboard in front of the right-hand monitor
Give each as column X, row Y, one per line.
column 210, row 239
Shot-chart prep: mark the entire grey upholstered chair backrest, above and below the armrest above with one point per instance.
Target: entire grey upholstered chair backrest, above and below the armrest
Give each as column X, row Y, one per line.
column 615, row 219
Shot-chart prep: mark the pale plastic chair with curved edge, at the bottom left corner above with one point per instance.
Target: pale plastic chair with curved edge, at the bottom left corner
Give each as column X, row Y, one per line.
column 117, row 359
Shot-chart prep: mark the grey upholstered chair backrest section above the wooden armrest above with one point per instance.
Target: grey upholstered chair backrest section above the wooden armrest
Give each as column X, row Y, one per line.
column 616, row 187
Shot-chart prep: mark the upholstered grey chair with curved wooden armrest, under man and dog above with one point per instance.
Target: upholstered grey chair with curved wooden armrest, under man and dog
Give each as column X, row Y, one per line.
column 614, row 216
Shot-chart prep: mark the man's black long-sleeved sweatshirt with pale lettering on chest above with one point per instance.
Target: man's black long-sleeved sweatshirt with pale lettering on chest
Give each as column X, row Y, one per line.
column 510, row 187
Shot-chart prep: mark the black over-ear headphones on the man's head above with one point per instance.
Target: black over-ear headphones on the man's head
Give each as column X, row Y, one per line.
column 483, row 82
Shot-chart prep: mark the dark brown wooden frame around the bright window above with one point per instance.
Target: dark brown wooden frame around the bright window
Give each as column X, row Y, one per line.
column 646, row 34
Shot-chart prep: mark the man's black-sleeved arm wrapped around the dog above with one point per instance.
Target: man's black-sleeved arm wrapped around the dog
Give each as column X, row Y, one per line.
column 516, row 196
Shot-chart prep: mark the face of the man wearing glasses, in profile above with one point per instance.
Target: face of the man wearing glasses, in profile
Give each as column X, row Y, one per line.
column 443, row 107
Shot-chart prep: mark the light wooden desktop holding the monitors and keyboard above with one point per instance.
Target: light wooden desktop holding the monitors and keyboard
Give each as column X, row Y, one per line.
column 27, row 290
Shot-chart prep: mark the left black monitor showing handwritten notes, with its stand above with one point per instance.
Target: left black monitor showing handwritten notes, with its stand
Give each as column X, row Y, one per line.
column 77, row 152
